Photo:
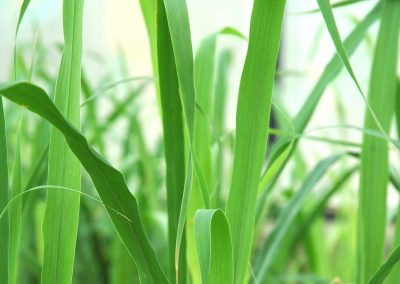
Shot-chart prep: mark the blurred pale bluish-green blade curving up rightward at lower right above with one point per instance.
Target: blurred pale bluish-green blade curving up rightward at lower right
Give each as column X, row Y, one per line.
column 288, row 215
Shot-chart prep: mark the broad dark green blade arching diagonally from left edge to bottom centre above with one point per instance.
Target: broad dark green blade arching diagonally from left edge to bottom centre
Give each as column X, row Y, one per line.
column 109, row 182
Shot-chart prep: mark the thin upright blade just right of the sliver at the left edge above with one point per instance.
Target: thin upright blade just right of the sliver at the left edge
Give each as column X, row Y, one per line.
column 15, row 215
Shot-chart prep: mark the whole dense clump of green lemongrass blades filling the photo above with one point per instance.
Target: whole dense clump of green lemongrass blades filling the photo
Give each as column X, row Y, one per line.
column 209, row 205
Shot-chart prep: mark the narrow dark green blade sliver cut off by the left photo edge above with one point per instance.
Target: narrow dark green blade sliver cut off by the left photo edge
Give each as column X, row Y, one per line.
column 4, row 236
